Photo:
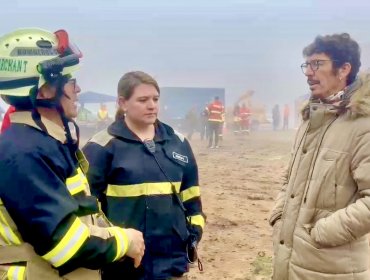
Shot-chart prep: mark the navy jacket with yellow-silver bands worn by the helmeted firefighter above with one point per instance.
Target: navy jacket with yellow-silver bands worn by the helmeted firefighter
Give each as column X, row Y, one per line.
column 45, row 199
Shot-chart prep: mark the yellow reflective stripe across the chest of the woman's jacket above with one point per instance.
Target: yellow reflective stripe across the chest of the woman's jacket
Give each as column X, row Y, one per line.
column 142, row 189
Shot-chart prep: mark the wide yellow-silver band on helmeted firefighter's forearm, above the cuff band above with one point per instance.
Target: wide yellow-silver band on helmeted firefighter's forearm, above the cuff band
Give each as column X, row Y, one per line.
column 69, row 245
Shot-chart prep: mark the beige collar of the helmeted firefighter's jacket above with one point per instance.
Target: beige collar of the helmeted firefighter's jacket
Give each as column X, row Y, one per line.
column 54, row 130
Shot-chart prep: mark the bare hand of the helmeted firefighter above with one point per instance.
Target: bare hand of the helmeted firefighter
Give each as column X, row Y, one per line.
column 136, row 246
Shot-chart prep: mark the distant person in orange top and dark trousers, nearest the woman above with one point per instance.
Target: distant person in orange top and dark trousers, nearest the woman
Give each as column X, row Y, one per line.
column 215, row 120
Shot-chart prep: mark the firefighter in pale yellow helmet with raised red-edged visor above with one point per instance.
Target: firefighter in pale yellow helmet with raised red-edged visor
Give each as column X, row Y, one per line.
column 50, row 225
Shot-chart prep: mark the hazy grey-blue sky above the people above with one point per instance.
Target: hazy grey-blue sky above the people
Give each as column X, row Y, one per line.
column 238, row 45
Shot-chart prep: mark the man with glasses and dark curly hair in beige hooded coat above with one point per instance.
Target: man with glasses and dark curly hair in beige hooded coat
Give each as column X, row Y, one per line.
column 322, row 213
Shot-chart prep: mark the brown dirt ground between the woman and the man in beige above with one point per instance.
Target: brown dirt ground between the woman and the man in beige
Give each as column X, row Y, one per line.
column 239, row 182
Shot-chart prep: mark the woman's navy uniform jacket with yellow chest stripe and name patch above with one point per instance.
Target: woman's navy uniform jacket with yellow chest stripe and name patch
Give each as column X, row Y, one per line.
column 136, row 193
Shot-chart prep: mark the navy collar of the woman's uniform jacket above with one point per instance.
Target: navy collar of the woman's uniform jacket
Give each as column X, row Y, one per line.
column 119, row 129
